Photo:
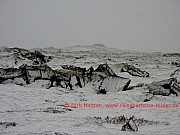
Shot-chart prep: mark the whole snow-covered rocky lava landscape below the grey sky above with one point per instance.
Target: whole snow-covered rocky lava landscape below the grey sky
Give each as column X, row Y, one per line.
column 81, row 90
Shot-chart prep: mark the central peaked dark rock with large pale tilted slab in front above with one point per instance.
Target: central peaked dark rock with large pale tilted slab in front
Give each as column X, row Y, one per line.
column 105, row 78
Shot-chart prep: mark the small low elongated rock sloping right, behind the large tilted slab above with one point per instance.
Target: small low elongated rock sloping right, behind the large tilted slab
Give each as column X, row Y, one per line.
column 132, row 70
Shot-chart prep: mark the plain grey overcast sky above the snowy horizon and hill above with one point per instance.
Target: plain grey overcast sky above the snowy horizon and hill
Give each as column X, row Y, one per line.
column 144, row 25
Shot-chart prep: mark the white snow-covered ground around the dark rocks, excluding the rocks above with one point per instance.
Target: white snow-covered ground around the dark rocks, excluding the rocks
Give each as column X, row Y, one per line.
column 38, row 110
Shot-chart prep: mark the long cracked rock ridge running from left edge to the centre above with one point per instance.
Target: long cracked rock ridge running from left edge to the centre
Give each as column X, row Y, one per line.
column 30, row 73
